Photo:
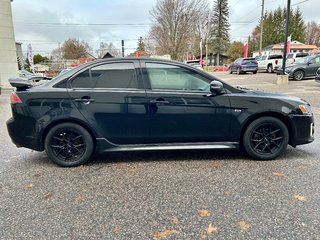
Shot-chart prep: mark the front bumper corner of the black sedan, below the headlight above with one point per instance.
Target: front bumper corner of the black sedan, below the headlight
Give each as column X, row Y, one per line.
column 303, row 129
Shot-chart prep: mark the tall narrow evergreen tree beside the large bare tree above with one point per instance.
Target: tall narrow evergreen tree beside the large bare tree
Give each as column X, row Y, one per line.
column 219, row 34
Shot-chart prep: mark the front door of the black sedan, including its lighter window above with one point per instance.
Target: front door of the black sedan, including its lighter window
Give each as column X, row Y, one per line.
column 187, row 112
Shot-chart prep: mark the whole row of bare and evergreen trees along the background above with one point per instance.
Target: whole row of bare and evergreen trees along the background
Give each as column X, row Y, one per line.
column 178, row 27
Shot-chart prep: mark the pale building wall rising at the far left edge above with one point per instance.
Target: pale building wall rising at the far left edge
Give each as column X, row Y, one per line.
column 8, row 52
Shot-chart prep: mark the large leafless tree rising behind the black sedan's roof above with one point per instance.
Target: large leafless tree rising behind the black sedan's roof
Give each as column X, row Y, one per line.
column 174, row 24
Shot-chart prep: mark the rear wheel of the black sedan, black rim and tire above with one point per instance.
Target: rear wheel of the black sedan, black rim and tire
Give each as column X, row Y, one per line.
column 69, row 145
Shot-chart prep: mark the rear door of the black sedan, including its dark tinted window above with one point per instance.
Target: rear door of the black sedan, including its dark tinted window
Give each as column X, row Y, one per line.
column 117, row 107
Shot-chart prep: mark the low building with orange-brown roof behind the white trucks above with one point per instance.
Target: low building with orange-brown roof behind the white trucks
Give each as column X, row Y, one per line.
column 295, row 46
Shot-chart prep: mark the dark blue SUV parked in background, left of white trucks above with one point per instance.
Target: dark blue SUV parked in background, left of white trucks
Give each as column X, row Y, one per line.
column 244, row 65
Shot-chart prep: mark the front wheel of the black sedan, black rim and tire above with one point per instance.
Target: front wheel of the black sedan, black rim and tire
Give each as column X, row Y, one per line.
column 266, row 138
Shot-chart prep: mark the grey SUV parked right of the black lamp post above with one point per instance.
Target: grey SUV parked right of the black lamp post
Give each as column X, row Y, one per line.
column 304, row 67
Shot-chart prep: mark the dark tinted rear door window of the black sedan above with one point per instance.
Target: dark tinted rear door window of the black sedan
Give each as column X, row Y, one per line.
column 114, row 75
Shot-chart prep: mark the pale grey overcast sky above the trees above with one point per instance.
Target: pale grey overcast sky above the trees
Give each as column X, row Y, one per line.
column 31, row 17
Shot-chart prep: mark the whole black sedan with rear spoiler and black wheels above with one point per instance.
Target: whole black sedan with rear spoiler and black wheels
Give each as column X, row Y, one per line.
column 148, row 104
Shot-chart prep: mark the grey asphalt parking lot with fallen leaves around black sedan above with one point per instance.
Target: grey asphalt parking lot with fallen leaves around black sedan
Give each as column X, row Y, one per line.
column 165, row 195
